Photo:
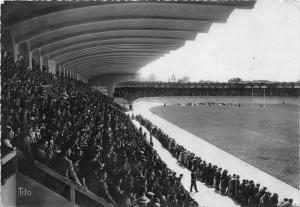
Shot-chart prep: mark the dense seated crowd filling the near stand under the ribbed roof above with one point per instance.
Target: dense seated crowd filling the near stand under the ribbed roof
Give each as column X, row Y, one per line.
column 81, row 134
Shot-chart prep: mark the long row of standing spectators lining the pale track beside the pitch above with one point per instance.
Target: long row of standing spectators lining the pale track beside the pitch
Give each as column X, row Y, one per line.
column 246, row 192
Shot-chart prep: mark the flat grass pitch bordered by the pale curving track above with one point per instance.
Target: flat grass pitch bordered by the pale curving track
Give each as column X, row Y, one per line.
column 264, row 137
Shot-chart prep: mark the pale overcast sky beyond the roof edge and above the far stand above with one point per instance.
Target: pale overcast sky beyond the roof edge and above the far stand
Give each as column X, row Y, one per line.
column 261, row 43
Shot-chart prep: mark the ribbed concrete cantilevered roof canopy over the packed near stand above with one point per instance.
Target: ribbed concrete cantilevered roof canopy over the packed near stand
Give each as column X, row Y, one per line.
column 104, row 37
